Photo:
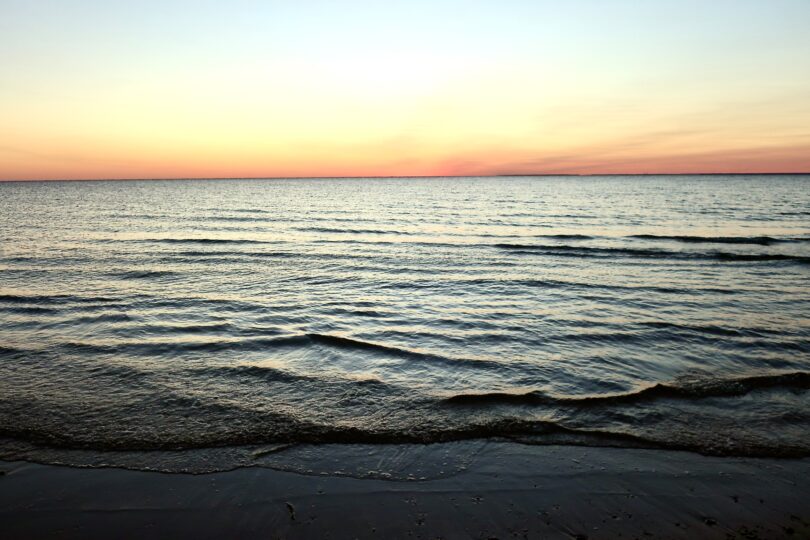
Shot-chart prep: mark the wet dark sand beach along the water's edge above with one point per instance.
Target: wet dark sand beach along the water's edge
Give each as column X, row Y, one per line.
column 505, row 491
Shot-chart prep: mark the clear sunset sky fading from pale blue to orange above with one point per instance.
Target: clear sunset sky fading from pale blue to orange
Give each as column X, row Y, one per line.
column 182, row 89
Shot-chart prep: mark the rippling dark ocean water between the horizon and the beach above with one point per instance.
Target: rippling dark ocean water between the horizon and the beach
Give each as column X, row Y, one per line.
column 178, row 316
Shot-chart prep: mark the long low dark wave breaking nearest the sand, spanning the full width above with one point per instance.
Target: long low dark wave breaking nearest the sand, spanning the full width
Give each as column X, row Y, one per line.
column 287, row 430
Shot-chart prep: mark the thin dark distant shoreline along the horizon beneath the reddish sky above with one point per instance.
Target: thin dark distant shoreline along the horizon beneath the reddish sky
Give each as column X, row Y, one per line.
column 542, row 175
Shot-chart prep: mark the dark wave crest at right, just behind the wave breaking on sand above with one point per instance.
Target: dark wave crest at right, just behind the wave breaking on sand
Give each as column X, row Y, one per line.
column 684, row 389
